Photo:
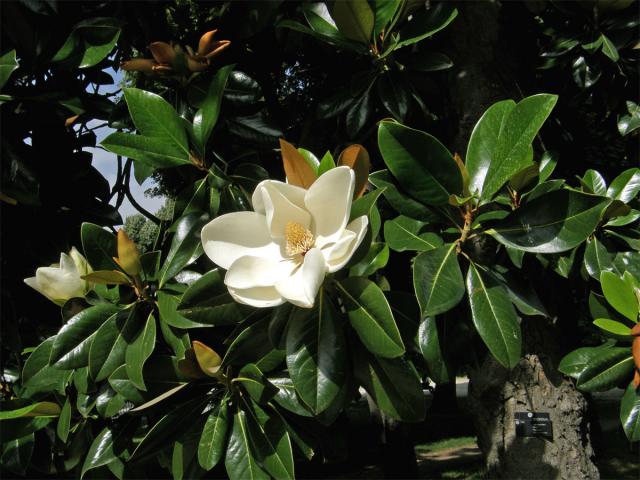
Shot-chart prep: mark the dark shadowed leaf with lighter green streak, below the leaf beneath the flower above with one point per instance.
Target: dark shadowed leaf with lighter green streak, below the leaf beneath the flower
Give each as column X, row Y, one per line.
column 394, row 385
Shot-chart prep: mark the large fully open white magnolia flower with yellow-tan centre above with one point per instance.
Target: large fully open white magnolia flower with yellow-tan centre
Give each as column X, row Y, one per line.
column 282, row 251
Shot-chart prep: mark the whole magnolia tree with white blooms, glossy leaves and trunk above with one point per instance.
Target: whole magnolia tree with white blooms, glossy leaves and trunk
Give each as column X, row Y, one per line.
column 267, row 307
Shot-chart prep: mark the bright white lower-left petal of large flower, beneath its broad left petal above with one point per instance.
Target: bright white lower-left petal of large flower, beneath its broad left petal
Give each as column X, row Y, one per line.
column 249, row 272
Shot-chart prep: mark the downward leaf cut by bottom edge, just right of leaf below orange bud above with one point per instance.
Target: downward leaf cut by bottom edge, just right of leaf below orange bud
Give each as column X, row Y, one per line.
column 239, row 460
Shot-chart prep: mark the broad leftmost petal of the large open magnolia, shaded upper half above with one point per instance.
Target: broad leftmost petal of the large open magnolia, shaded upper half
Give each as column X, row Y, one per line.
column 234, row 235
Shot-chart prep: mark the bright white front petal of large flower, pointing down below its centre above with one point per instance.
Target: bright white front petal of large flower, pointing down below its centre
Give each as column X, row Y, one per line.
column 302, row 287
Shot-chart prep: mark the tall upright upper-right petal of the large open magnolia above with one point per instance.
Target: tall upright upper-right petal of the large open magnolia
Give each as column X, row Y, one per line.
column 329, row 202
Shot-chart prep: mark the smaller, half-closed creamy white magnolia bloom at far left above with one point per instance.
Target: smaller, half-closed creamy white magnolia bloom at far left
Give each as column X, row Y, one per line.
column 62, row 281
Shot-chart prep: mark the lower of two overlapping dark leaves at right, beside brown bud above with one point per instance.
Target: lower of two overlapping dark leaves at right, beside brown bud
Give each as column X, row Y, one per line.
column 606, row 369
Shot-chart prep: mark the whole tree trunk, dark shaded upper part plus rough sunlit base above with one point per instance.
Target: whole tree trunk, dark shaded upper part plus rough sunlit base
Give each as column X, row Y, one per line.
column 483, row 61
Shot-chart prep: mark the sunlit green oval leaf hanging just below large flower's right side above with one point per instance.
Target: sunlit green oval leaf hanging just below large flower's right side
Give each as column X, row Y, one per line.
column 371, row 317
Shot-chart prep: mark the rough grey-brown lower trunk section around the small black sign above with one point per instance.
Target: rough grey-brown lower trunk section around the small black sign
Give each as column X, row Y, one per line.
column 534, row 385
